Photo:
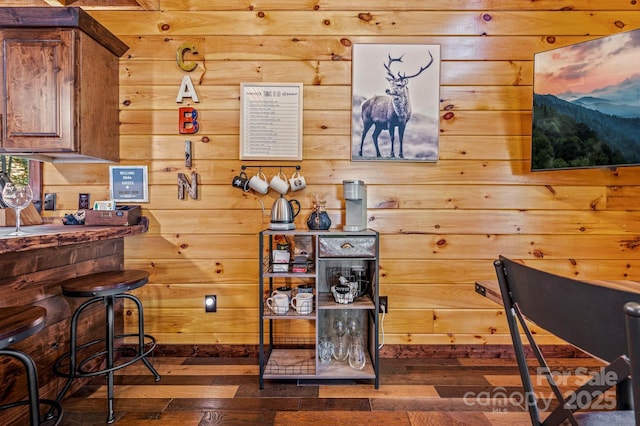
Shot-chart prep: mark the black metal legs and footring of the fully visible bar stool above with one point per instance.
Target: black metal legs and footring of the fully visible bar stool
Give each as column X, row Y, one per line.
column 145, row 346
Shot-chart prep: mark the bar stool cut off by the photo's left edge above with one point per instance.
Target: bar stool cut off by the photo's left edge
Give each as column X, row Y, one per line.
column 16, row 324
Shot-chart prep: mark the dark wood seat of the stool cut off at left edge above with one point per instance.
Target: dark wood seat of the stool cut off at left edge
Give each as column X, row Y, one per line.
column 19, row 322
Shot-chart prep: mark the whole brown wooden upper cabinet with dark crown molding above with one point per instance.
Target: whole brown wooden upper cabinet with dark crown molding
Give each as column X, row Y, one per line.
column 59, row 80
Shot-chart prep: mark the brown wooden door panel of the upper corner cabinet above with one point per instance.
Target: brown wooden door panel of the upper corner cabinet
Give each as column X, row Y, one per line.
column 38, row 84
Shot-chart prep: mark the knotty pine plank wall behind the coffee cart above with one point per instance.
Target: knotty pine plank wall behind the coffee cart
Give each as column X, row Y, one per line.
column 441, row 224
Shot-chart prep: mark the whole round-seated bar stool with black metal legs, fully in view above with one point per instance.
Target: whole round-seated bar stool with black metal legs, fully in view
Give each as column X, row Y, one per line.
column 105, row 287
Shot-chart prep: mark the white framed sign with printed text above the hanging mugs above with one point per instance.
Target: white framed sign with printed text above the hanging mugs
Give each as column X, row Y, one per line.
column 271, row 121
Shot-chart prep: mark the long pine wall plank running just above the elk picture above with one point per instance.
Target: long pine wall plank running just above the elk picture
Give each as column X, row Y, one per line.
column 384, row 22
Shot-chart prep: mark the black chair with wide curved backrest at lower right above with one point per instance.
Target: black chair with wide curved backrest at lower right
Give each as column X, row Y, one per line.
column 588, row 316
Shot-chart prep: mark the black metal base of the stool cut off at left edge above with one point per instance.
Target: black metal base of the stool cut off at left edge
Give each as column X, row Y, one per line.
column 54, row 415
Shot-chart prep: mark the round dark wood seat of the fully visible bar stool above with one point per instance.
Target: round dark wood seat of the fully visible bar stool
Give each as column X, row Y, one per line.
column 104, row 283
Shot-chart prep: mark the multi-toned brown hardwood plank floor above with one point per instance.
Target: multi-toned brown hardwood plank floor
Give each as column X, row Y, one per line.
column 213, row 390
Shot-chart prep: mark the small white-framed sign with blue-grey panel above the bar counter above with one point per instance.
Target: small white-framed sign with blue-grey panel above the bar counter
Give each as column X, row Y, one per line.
column 129, row 183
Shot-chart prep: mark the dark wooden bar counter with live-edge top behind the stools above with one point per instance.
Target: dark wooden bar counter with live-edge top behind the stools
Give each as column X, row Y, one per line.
column 30, row 269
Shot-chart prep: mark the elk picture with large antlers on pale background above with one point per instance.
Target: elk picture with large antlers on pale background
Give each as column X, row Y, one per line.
column 395, row 102
